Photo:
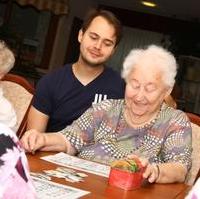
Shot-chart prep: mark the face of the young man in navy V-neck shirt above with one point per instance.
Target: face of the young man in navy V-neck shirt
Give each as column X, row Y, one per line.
column 97, row 43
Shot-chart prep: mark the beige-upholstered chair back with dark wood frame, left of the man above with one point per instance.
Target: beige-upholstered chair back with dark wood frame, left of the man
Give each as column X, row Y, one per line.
column 20, row 93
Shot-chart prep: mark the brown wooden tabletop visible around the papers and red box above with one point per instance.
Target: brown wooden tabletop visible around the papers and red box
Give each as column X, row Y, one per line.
column 99, row 188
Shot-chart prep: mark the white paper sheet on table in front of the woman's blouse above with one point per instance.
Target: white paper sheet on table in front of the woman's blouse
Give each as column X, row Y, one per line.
column 64, row 159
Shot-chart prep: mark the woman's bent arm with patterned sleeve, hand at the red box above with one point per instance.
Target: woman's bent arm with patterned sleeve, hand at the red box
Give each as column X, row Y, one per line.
column 175, row 153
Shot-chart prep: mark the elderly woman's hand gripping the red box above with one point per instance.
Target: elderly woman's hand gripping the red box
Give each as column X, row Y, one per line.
column 151, row 172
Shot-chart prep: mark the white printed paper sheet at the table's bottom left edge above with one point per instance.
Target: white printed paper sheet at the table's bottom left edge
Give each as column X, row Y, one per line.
column 50, row 190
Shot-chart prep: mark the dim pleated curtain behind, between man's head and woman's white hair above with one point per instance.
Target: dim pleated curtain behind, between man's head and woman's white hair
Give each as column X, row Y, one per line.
column 133, row 38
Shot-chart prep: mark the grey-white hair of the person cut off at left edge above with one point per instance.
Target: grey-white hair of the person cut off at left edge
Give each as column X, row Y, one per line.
column 7, row 58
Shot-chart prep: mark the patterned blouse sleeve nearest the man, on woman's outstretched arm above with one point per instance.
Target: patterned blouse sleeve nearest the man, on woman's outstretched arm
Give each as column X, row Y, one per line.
column 81, row 132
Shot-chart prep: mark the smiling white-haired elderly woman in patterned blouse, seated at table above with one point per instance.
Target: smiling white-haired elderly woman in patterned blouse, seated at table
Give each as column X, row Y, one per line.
column 141, row 125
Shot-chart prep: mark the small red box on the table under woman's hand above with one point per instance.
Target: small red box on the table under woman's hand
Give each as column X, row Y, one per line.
column 125, row 179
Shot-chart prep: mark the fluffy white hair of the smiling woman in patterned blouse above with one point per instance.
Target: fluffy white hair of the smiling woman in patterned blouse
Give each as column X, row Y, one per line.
column 152, row 55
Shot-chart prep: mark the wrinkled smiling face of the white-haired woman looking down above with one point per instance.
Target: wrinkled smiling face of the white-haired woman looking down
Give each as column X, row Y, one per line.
column 145, row 90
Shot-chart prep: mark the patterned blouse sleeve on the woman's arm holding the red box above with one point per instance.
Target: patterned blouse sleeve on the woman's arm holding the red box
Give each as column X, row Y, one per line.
column 178, row 143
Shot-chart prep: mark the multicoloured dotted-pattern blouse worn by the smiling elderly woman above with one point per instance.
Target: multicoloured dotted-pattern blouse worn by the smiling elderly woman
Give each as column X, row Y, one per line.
column 101, row 134
